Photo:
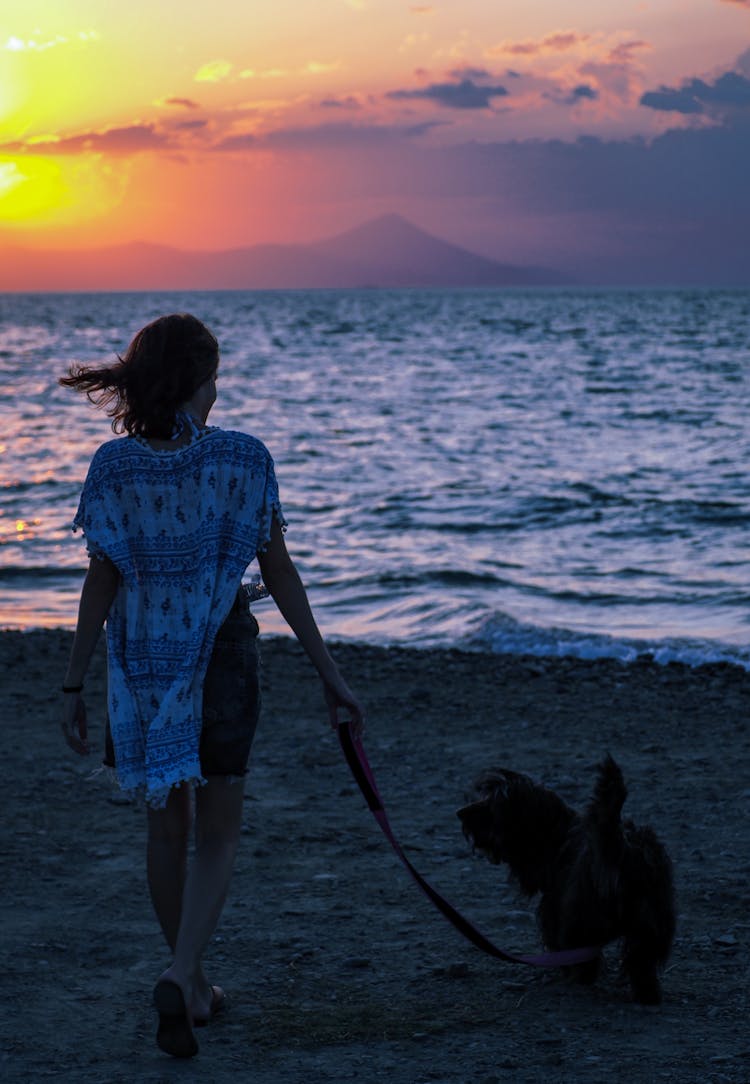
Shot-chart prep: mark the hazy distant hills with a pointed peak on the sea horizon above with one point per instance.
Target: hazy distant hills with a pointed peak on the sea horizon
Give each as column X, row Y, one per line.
column 385, row 252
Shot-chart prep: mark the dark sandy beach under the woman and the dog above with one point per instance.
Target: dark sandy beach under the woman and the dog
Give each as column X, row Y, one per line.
column 338, row 969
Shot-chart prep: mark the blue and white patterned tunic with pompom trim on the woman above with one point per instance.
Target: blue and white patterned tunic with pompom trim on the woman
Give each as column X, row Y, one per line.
column 182, row 526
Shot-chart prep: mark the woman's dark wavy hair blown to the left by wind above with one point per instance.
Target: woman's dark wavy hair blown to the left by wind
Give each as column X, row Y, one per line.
column 165, row 365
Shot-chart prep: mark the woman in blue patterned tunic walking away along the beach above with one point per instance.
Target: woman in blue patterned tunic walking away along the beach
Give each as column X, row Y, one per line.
column 173, row 515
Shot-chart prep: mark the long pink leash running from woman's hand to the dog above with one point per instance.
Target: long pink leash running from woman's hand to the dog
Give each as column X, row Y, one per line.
column 363, row 772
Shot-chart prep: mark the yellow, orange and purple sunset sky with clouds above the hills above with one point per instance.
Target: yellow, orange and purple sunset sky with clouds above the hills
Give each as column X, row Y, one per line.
column 579, row 135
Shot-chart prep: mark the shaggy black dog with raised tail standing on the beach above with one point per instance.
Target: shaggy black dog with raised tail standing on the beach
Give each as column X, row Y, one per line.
column 602, row 879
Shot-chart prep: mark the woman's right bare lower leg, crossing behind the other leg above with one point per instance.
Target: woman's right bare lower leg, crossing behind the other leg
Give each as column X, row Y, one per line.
column 218, row 819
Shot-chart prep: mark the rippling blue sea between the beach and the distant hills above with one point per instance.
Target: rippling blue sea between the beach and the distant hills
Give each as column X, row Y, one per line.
column 550, row 472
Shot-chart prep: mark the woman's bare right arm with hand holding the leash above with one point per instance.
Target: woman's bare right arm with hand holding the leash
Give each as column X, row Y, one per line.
column 282, row 579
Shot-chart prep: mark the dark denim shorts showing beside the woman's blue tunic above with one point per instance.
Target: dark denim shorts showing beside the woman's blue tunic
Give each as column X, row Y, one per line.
column 231, row 696
